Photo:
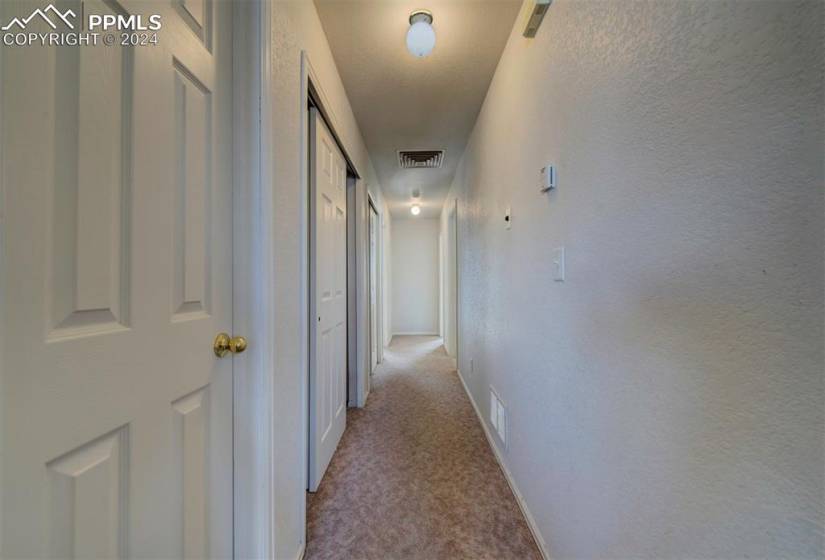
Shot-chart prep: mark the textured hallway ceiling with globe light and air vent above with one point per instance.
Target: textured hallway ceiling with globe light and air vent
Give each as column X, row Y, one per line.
column 402, row 102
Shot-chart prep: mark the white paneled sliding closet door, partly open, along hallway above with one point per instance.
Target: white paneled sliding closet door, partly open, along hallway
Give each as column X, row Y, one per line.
column 328, row 298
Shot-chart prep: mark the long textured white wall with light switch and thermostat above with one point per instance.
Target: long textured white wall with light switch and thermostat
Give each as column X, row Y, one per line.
column 667, row 399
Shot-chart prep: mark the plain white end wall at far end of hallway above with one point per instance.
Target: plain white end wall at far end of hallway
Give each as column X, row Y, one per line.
column 415, row 276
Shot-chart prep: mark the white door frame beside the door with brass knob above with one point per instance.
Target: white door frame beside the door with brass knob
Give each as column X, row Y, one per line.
column 253, row 248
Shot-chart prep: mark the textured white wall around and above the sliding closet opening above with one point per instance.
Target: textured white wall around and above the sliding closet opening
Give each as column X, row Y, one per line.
column 295, row 27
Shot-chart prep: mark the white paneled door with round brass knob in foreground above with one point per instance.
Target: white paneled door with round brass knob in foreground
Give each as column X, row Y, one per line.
column 116, row 172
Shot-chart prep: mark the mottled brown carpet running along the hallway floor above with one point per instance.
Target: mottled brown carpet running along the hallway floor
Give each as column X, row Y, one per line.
column 414, row 476
